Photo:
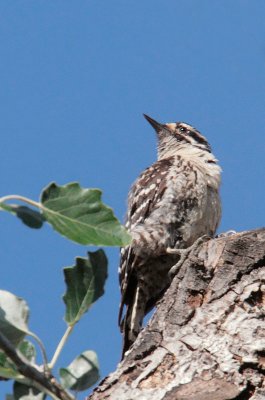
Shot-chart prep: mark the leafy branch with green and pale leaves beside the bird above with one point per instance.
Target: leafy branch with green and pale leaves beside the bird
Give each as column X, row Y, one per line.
column 79, row 215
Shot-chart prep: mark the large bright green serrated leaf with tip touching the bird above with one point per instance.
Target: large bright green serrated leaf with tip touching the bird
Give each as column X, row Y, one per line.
column 80, row 215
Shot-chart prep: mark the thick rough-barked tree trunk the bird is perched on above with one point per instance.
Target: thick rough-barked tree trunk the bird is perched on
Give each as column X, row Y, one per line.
column 206, row 340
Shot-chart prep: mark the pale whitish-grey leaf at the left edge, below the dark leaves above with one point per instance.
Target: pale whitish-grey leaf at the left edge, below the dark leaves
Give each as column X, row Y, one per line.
column 14, row 314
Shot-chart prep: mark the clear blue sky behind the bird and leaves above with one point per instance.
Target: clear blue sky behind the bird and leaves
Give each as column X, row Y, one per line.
column 75, row 78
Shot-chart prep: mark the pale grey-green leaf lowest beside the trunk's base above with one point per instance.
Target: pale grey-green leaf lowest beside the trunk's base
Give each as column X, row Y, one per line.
column 82, row 373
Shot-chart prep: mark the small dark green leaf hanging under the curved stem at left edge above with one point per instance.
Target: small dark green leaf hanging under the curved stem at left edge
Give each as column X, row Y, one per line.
column 32, row 218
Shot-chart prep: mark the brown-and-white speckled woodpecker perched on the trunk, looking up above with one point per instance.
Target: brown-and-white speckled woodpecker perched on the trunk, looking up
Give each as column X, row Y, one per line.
column 171, row 205
